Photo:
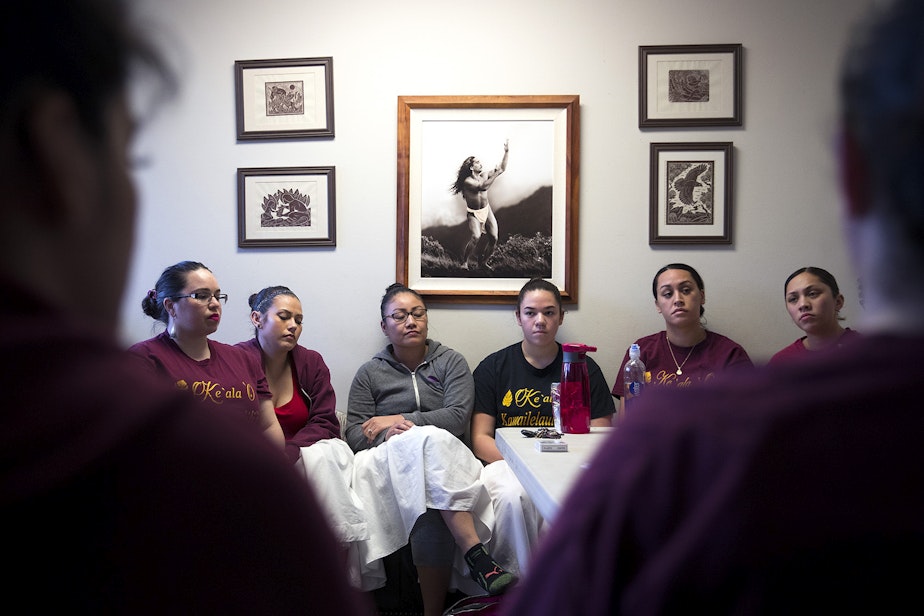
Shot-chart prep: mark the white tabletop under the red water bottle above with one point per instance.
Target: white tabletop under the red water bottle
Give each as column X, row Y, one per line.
column 546, row 475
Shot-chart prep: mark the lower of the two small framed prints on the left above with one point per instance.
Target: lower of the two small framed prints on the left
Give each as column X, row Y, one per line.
column 286, row 206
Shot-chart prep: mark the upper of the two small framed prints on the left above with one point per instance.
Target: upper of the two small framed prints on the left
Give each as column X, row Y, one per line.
column 291, row 98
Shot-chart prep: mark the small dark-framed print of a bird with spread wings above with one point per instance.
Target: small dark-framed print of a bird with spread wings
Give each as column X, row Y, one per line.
column 691, row 193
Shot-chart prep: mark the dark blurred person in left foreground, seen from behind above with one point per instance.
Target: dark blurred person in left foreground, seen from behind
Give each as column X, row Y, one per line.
column 117, row 495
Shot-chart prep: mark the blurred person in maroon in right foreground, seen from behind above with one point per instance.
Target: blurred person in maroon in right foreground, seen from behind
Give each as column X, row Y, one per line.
column 799, row 489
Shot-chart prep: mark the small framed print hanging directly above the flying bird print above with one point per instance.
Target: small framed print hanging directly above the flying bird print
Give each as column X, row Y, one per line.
column 689, row 85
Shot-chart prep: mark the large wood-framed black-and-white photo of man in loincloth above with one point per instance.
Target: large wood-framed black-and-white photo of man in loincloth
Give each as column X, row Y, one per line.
column 487, row 195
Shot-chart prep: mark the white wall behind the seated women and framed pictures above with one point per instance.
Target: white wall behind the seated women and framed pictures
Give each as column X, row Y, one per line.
column 786, row 200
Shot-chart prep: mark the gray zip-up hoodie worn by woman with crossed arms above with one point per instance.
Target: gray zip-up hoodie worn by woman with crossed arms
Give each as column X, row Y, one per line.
column 439, row 392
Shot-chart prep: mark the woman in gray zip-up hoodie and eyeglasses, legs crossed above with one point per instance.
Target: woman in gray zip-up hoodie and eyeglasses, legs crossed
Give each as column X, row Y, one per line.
column 407, row 413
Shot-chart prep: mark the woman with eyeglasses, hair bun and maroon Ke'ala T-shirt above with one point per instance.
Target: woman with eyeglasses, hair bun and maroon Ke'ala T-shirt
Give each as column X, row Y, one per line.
column 188, row 300
